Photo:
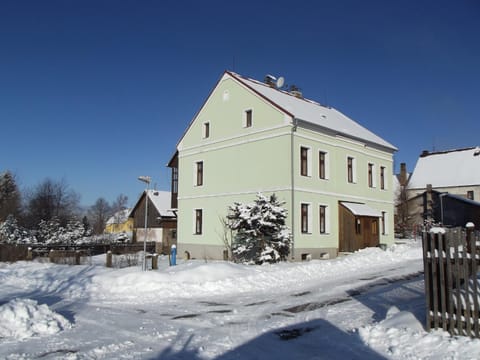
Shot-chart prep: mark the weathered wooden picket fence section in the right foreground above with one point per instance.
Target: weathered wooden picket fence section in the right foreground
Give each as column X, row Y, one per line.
column 451, row 260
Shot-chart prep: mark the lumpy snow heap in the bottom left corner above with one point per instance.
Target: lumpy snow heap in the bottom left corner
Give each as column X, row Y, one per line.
column 24, row 318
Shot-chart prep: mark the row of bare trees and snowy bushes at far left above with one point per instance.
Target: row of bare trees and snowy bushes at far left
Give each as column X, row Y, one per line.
column 50, row 212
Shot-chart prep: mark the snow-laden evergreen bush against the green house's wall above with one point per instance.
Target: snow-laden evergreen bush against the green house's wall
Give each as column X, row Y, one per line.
column 261, row 234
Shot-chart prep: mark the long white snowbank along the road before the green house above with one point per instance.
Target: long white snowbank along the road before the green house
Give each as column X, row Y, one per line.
column 219, row 278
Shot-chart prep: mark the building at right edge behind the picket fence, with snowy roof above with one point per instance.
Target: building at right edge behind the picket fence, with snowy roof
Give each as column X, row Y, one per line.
column 445, row 187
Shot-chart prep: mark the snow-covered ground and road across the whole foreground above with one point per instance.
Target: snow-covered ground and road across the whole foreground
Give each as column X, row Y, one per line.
column 368, row 305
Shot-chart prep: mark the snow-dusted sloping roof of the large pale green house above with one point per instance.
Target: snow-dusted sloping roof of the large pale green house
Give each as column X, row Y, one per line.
column 314, row 113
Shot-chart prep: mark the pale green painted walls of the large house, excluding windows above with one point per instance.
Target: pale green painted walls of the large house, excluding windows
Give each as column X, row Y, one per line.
column 240, row 161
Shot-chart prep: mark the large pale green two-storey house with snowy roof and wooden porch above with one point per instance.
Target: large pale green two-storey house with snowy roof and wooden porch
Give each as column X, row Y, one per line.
column 334, row 175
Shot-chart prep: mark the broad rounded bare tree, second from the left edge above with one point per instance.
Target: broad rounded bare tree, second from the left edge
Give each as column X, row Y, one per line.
column 51, row 199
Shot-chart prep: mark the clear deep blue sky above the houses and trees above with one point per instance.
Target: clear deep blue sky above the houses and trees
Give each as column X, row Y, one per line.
column 99, row 92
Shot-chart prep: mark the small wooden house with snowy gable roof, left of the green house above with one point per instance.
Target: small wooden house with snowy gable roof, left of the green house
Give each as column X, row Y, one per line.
column 161, row 220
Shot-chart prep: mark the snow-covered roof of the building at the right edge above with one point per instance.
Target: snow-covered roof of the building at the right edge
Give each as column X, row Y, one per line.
column 446, row 169
